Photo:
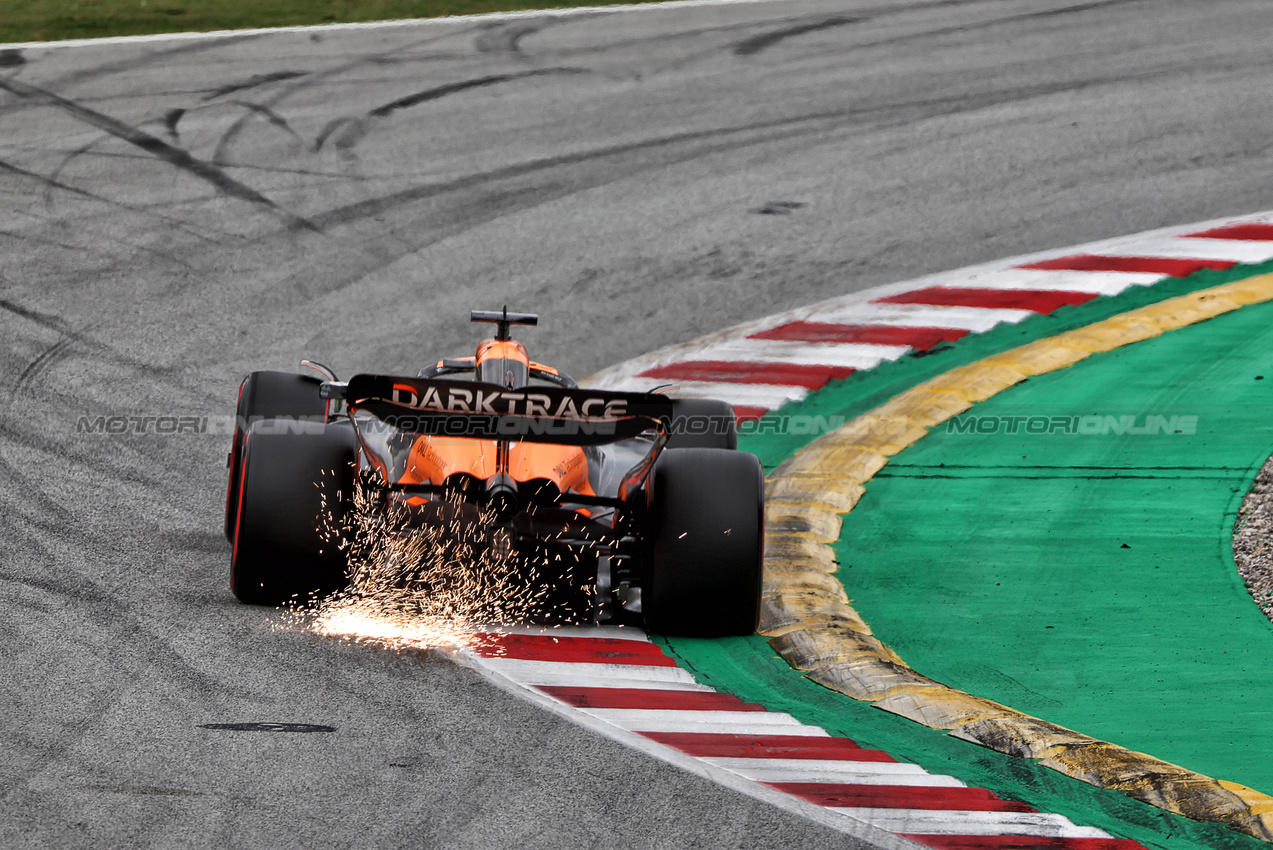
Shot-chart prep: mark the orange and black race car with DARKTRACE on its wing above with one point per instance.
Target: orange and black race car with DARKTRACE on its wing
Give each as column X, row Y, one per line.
column 622, row 507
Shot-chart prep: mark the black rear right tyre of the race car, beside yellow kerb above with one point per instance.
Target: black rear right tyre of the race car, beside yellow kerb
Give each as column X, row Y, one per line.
column 706, row 538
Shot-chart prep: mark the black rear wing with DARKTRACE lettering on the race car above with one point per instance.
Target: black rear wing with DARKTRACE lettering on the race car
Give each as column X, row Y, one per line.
column 467, row 409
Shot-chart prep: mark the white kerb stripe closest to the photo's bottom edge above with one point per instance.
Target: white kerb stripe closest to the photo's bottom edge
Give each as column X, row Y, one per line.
column 957, row 823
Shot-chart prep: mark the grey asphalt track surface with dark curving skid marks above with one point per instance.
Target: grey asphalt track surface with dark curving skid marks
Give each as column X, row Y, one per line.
column 178, row 214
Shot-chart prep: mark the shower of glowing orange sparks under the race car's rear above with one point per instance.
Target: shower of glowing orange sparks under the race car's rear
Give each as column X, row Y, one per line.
column 444, row 583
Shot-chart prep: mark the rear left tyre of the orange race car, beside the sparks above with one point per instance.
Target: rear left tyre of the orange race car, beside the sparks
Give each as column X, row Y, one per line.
column 295, row 493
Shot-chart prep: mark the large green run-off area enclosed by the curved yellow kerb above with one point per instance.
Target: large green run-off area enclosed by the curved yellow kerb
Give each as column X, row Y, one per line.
column 1088, row 578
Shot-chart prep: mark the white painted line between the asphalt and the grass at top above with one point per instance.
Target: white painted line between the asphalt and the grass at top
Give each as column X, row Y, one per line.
column 380, row 25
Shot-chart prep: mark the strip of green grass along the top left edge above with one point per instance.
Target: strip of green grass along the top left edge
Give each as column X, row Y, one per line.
column 24, row 21
